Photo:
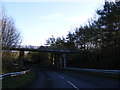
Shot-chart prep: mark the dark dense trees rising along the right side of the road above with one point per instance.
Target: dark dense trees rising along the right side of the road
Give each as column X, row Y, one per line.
column 99, row 40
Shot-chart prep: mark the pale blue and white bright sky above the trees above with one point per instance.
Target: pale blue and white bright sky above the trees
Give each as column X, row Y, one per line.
column 39, row 20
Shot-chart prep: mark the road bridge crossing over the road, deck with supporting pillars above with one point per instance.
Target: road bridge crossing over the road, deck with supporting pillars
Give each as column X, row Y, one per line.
column 59, row 62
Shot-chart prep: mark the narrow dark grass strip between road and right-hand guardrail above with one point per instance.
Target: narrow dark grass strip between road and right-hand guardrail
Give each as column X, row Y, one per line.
column 115, row 77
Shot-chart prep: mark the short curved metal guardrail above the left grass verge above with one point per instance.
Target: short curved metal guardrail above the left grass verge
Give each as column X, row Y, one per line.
column 14, row 74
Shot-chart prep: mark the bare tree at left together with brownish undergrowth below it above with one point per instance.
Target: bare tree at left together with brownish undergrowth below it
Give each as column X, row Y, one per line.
column 9, row 37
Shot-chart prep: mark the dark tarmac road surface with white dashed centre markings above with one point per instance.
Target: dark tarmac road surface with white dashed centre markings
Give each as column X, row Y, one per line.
column 48, row 78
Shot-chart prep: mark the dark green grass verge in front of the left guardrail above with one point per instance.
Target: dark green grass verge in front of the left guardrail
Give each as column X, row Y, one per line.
column 18, row 81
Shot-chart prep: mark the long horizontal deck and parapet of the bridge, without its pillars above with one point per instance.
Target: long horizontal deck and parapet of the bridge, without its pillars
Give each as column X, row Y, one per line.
column 43, row 49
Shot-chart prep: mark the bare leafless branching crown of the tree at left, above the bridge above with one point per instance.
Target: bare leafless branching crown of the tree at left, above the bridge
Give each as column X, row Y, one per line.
column 10, row 34
